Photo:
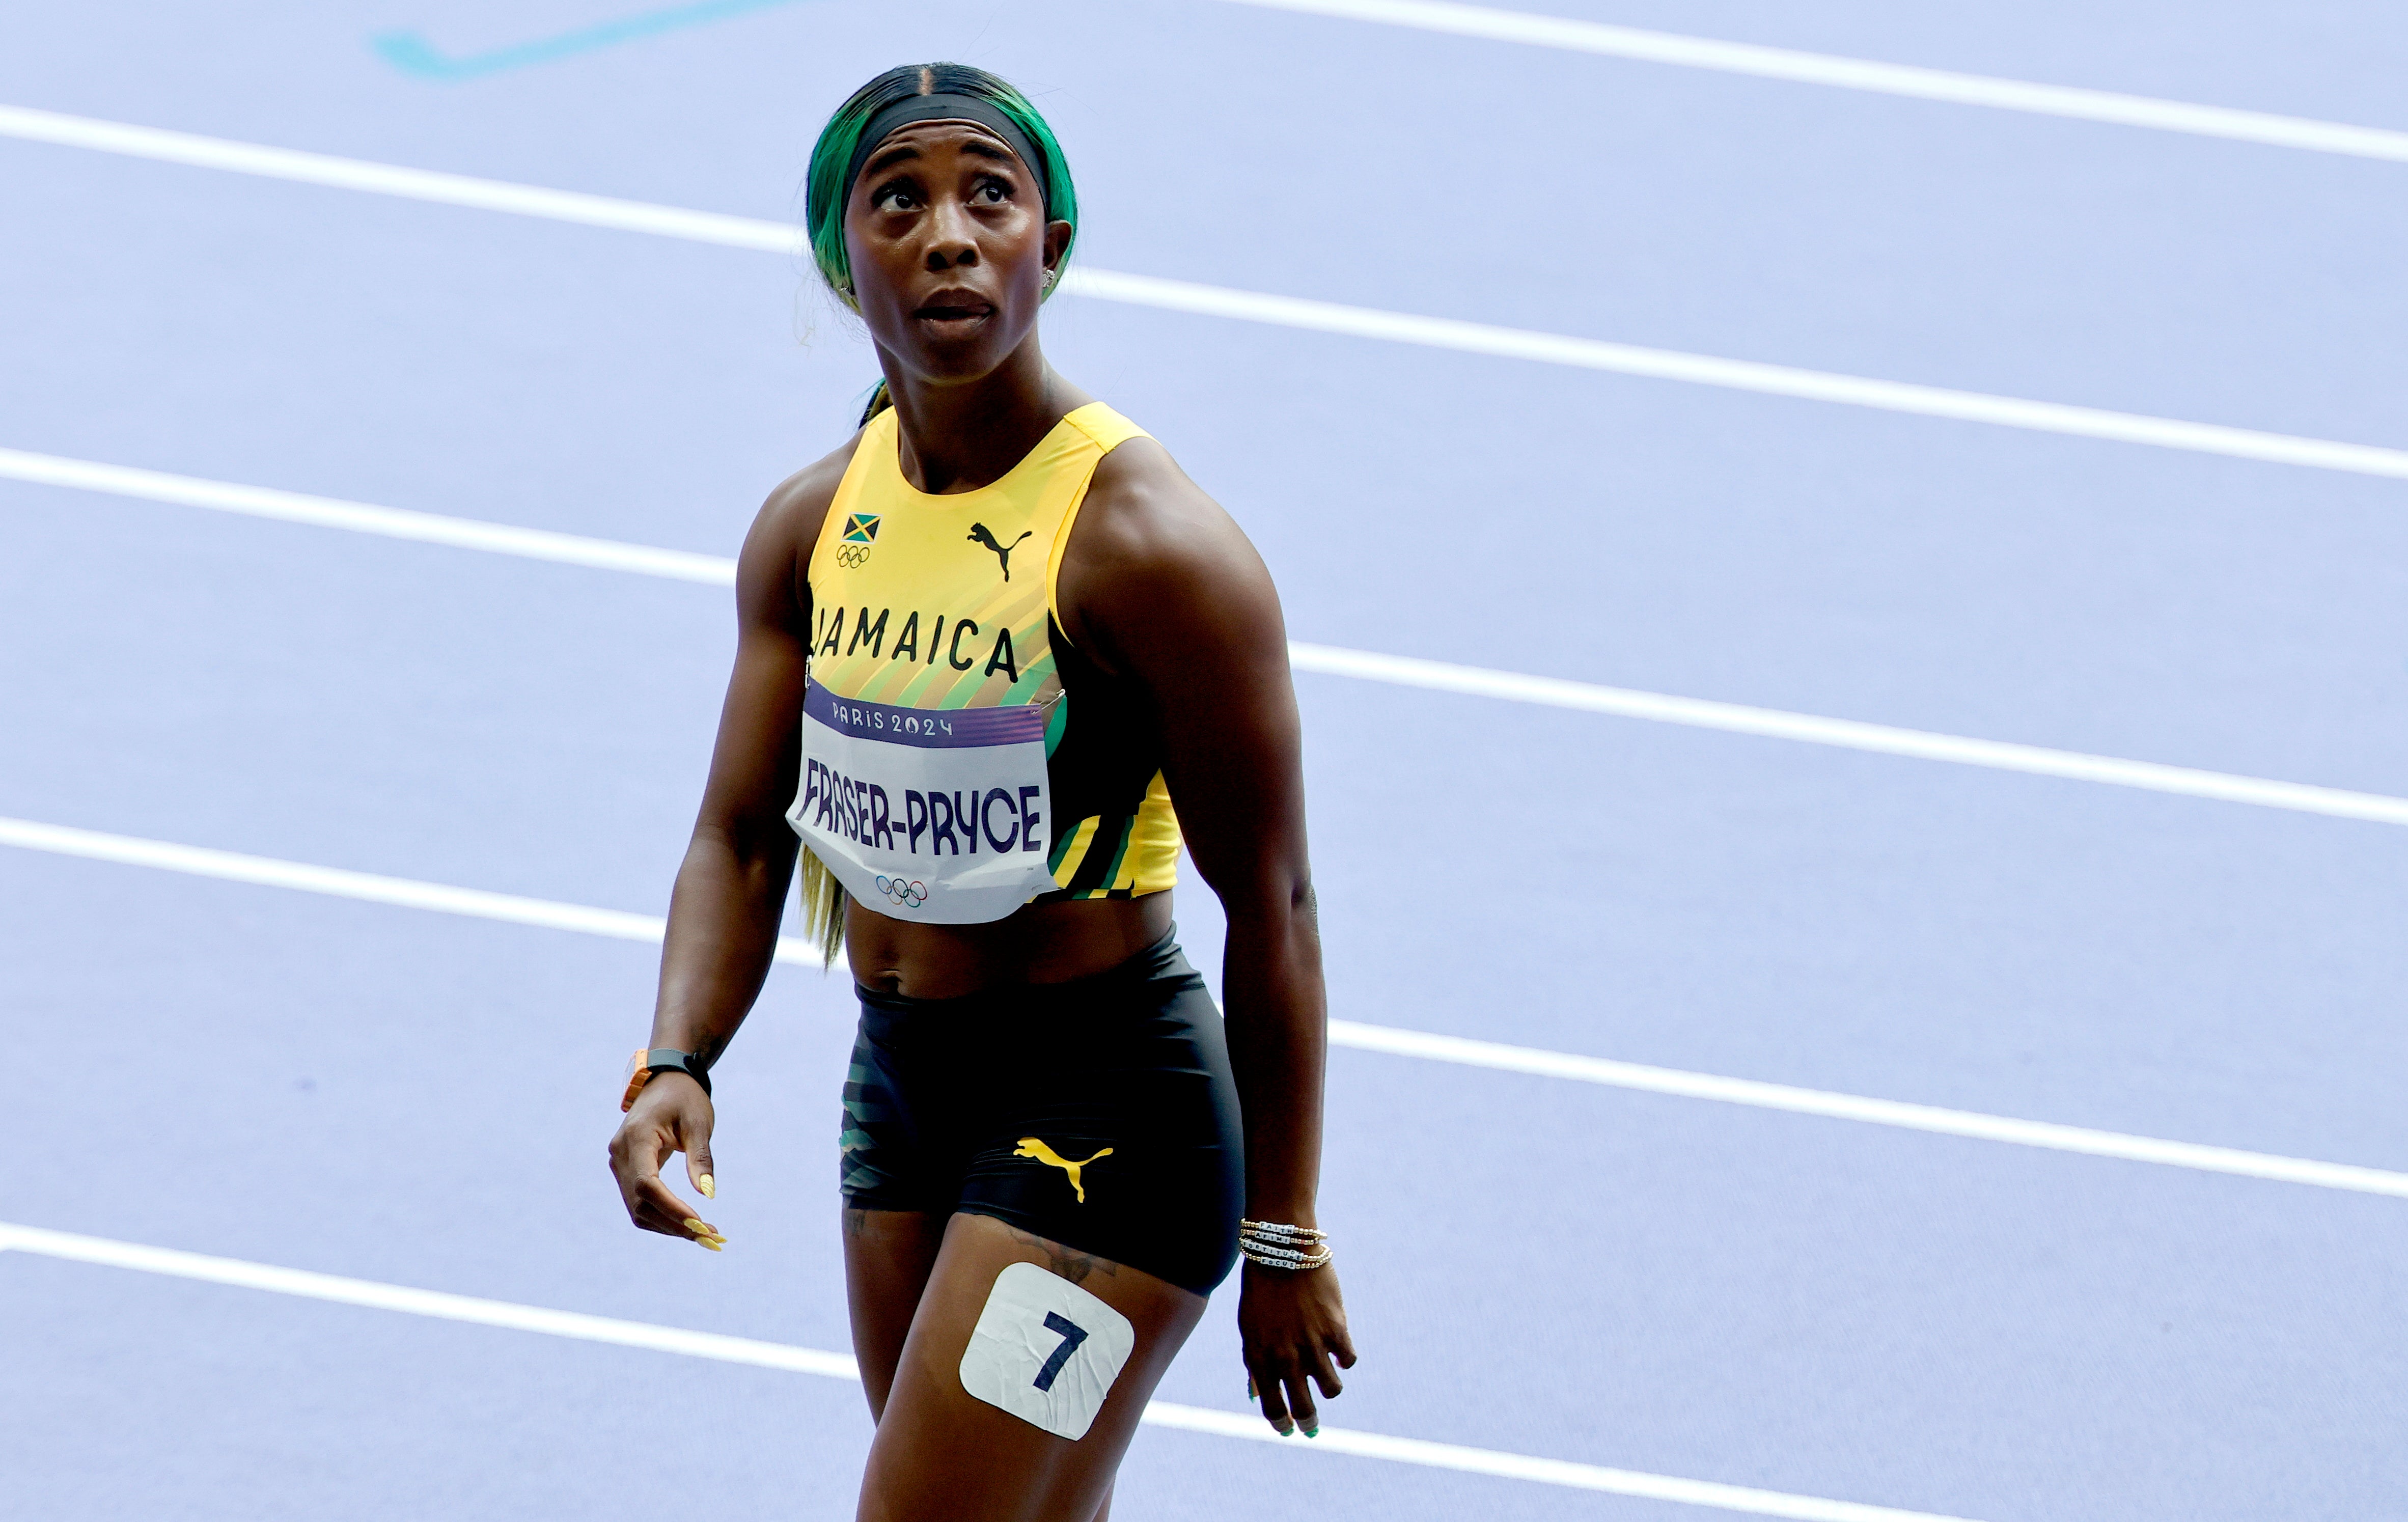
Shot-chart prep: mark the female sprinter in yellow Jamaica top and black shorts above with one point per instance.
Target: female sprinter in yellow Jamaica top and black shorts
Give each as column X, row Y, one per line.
column 984, row 647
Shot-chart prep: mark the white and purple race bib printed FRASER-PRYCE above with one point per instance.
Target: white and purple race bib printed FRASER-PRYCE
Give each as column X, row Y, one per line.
column 933, row 815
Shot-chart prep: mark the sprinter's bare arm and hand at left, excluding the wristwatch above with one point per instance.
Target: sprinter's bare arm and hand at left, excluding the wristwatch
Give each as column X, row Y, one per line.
column 731, row 890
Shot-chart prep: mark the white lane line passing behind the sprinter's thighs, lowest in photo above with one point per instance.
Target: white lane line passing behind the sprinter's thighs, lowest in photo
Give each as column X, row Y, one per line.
column 839, row 1367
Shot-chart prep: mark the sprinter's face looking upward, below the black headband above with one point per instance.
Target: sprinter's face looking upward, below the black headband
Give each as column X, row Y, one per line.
column 950, row 249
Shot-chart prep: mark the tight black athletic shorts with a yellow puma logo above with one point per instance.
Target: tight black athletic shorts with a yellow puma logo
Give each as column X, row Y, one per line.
column 1097, row 1114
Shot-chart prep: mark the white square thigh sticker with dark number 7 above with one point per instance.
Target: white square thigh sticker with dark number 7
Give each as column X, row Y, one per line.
column 1046, row 1350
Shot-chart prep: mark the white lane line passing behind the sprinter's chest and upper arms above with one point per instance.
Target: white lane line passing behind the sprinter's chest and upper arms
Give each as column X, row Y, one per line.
column 1328, row 661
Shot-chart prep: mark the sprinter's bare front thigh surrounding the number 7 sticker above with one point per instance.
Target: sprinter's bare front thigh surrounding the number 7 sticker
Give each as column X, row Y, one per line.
column 945, row 1456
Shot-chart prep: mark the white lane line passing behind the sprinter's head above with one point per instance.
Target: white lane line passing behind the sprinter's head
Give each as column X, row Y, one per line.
column 1246, row 307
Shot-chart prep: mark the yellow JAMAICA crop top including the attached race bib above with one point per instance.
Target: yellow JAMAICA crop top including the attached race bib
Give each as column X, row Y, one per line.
column 936, row 678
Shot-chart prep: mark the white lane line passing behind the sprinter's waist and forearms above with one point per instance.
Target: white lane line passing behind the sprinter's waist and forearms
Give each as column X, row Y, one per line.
column 403, row 892
